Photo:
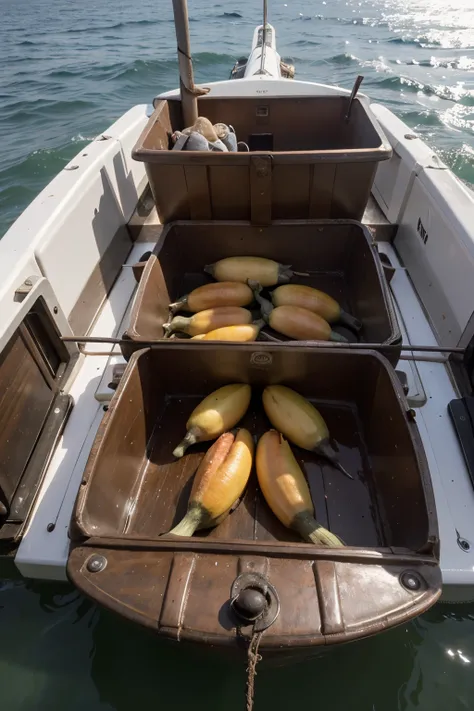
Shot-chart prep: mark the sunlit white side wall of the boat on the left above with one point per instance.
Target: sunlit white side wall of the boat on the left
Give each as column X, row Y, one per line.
column 69, row 228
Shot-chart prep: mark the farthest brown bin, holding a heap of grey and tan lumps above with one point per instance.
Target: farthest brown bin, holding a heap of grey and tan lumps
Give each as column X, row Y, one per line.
column 319, row 165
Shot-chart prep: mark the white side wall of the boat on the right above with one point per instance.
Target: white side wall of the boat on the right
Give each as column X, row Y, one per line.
column 435, row 237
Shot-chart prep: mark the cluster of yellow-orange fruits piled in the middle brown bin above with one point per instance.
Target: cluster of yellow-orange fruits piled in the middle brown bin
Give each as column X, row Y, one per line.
column 297, row 311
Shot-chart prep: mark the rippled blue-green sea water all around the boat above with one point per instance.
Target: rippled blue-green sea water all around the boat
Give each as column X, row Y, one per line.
column 67, row 71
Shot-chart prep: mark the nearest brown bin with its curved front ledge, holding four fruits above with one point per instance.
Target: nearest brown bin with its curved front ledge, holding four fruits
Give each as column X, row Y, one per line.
column 134, row 491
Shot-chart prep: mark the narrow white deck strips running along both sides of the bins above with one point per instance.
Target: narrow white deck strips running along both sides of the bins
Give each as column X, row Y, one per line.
column 44, row 549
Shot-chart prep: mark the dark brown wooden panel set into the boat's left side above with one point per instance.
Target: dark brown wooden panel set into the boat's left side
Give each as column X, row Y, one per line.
column 33, row 413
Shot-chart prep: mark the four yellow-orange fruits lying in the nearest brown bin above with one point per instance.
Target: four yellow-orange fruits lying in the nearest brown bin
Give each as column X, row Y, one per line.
column 225, row 469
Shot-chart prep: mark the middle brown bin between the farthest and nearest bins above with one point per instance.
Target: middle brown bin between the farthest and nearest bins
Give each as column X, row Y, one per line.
column 338, row 255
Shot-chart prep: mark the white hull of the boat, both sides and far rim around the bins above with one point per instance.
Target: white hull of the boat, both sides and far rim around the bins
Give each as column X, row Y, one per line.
column 79, row 214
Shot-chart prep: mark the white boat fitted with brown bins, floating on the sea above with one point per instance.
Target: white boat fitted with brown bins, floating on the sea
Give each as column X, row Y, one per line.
column 76, row 375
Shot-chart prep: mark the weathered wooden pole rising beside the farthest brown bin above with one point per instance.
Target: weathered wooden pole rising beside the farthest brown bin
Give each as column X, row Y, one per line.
column 186, row 77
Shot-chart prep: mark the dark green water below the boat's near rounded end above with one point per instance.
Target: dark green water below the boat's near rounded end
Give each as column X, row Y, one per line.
column 60, row 652
